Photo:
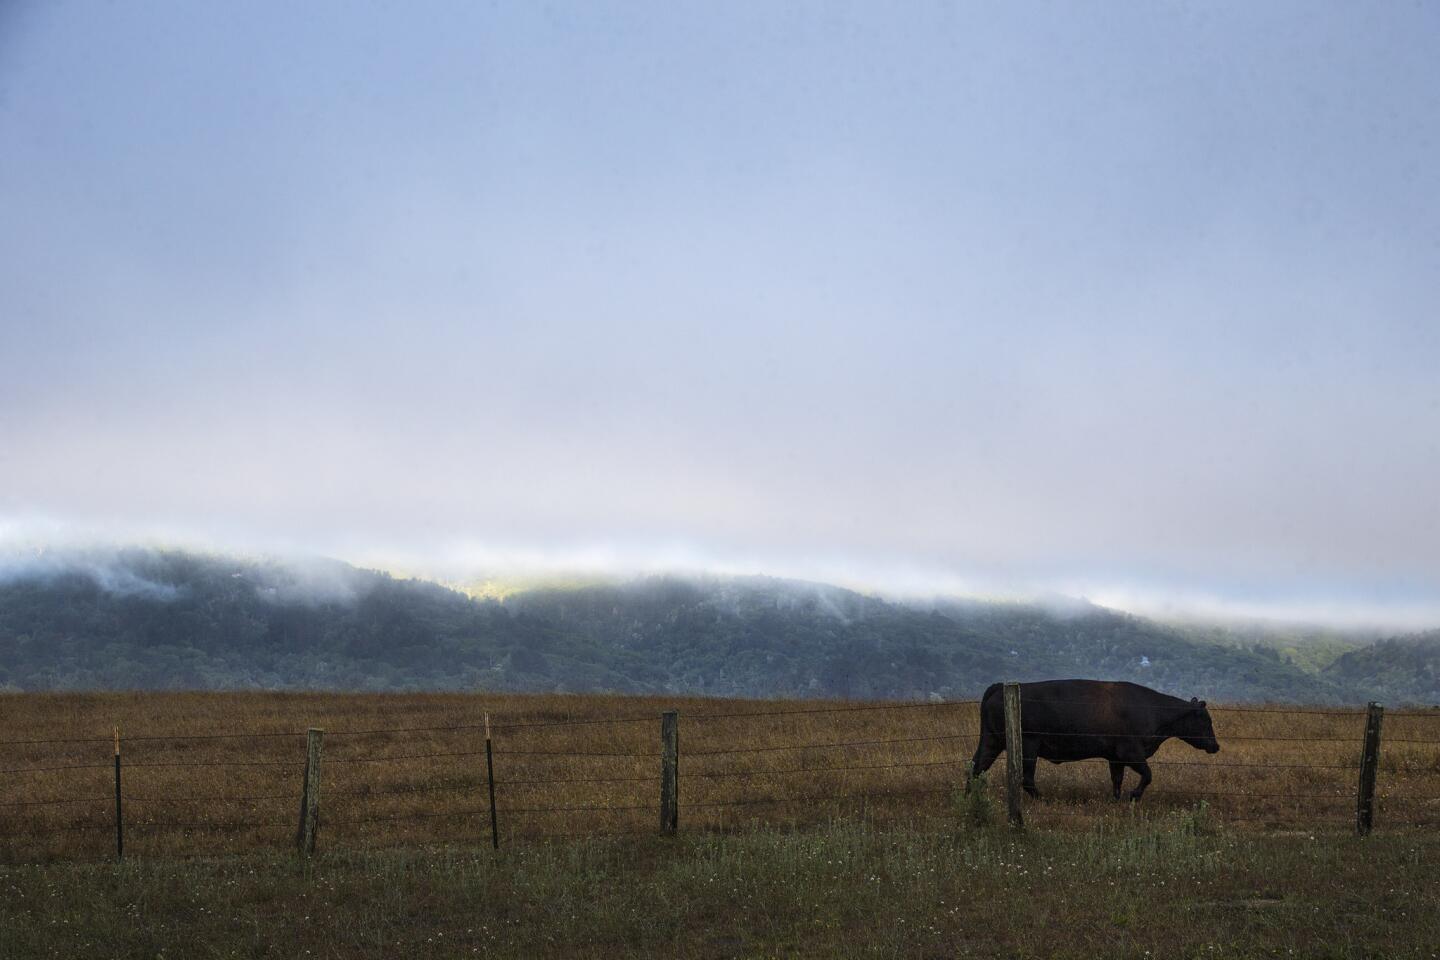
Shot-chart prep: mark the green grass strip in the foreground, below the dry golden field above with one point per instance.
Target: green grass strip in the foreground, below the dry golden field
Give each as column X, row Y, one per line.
column 1170, row 886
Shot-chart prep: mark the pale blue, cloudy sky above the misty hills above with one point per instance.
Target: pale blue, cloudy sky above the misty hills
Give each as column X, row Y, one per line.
column 1133, row 302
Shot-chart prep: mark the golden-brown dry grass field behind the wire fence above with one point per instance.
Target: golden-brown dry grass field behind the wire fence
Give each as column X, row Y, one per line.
column 411, row 769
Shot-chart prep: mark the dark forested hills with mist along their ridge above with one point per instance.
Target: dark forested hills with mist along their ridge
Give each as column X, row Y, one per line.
column 150, row 620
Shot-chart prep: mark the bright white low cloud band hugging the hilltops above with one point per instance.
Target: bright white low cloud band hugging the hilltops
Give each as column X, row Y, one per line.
column 325, row 574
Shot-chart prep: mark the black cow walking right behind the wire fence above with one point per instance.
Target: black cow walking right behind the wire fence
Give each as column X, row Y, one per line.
column 1063, row 720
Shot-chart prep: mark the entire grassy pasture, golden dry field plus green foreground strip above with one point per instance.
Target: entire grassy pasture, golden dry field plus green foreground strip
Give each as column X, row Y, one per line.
column 806, row 830
